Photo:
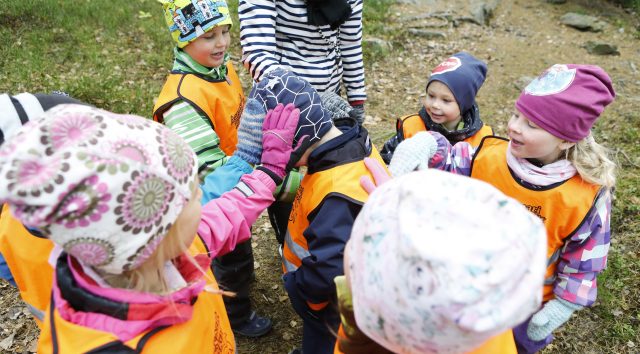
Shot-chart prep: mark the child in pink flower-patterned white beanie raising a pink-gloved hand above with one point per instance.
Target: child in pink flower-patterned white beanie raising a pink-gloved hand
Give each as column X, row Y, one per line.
column 119, row 194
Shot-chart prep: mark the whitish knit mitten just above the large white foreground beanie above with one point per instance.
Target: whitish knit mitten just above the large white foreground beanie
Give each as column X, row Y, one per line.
column 413, row 154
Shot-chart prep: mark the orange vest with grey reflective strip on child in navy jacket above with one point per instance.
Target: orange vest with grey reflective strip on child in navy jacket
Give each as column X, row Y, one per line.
column 342, row 180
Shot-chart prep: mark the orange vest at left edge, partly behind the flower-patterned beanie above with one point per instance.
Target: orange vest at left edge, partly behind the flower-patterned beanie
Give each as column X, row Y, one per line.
column 28, row 259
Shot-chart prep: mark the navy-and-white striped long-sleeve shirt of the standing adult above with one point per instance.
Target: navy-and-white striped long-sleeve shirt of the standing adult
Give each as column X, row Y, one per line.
column 277, row 33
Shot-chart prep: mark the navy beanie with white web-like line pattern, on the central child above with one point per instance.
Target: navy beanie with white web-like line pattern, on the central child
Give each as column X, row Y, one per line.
column 282, row 86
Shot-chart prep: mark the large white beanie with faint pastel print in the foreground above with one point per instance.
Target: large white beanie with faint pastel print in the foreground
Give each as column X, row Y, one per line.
column 442, row 270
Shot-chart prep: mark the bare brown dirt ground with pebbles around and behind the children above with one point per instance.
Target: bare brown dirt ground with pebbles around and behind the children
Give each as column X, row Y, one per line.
column 521, row 40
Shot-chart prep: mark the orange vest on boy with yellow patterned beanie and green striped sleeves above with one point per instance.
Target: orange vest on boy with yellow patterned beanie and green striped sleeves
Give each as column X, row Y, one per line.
column 222, row 101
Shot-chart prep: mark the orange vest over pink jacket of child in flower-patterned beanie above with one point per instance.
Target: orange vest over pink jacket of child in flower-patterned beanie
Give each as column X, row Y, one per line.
column 208, row 331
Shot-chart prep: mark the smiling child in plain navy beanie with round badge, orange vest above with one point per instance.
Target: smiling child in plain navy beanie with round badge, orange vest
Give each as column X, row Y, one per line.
column 450, row 107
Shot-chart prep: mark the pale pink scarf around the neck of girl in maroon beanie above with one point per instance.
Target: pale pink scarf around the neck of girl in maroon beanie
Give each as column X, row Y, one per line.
column 555, row 172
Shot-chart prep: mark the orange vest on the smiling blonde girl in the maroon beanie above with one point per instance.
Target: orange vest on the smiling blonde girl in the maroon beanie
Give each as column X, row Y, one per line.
column 562, row 208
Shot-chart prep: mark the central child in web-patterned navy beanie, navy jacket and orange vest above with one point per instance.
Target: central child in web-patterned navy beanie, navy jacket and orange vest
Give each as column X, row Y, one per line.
column 326, row 204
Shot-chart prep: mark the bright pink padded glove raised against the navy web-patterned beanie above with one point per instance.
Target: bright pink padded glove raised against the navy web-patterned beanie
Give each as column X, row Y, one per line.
column 277, row 139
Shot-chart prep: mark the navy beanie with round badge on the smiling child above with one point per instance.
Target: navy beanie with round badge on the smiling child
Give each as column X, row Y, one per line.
column 464, row 75
